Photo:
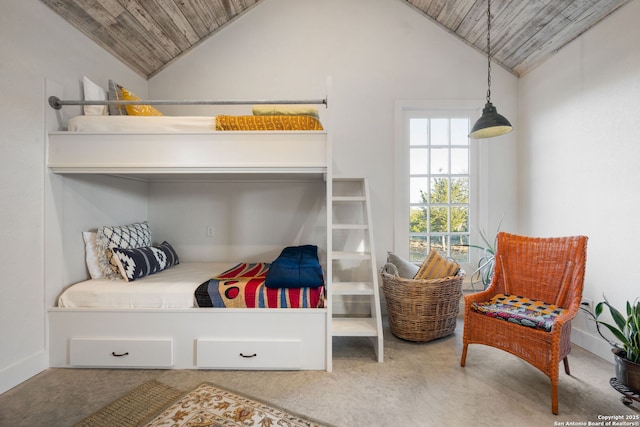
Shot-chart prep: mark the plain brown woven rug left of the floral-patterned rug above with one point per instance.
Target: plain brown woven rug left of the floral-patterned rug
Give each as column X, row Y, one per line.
column 135, row 407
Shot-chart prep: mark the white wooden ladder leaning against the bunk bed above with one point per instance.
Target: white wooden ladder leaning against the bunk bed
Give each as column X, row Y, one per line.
column 354, row 290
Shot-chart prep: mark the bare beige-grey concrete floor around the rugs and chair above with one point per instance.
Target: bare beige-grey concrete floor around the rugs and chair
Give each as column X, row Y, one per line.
column 417, row 385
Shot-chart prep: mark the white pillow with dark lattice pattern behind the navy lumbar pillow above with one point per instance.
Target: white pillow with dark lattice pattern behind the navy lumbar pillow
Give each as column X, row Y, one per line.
column 130, row 236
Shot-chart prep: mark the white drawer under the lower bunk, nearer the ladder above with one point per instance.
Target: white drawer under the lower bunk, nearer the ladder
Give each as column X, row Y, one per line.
column 248, row 354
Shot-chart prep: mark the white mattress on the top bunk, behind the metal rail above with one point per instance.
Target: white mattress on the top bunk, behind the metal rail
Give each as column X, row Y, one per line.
column 142, row 124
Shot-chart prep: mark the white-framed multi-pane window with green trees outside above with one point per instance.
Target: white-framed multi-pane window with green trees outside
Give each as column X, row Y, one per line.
column 436, row 182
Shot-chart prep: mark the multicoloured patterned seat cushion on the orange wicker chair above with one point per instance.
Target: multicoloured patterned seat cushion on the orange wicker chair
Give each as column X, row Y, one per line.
column 520, row 310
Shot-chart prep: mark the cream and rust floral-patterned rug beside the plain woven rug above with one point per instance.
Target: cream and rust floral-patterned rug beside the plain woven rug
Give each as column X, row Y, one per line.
column 211, row 406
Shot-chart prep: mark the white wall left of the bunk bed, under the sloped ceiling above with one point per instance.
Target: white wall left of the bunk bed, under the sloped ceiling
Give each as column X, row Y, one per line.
column 35, row 45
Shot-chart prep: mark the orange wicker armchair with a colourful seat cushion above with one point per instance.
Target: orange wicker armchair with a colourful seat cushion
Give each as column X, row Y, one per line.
column 549, row 270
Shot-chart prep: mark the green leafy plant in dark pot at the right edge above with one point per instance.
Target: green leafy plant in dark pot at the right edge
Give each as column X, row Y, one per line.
column 626, row 330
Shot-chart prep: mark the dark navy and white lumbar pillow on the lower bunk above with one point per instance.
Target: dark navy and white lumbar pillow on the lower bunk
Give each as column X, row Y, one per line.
column 140, row 262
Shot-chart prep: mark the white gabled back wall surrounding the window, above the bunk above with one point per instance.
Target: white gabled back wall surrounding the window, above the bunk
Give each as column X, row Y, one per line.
column 376, row 52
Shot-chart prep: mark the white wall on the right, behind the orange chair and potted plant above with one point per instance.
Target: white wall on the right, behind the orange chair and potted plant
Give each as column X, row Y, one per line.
column 579, row 153
